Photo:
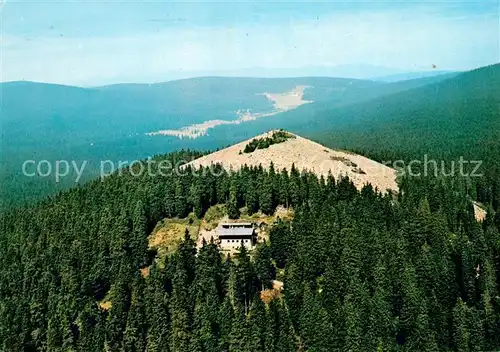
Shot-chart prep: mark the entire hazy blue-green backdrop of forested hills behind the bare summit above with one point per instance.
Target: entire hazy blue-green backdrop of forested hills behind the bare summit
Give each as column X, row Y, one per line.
column 449, row 114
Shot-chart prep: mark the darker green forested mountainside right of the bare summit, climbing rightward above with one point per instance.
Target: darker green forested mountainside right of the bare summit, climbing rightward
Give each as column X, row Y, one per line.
column 444, row 119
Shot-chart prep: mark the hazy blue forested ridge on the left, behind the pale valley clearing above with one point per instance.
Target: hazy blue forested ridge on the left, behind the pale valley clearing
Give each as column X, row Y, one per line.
column 53, row 122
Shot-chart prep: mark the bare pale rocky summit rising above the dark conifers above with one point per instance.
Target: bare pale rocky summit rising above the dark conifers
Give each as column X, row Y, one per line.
column 305, row 155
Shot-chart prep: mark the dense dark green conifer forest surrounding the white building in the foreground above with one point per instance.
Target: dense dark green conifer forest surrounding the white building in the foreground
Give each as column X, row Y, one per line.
column 361, row 270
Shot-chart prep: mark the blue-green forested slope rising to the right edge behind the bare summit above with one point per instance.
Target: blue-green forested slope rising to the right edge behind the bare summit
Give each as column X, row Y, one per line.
column 448, row 112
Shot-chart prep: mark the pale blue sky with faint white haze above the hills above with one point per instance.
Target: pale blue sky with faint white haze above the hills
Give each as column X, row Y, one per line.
column 102, row 42
